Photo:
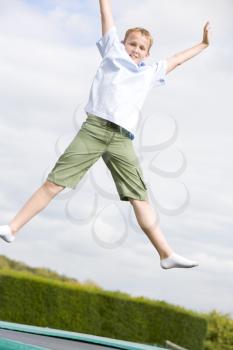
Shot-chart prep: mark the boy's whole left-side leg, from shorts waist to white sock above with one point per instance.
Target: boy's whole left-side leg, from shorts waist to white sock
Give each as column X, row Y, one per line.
column 84, row 150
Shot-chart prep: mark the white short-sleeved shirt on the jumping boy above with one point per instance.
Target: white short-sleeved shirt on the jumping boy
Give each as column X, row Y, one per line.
column 120, row 85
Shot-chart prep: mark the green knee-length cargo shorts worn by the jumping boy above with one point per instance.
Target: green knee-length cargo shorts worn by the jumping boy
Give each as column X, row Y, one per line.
column 97, row 138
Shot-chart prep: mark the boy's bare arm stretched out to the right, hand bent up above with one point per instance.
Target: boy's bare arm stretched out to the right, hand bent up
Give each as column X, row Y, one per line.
column 183, row 56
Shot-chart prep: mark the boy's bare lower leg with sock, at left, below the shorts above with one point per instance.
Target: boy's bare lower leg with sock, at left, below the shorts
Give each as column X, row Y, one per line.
column 38, row 201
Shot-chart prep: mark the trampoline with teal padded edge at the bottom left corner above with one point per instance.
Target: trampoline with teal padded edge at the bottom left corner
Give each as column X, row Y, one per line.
column 15, row 336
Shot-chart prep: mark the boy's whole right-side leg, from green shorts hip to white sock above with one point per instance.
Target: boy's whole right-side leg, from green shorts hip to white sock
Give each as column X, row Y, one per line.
column 127, row 174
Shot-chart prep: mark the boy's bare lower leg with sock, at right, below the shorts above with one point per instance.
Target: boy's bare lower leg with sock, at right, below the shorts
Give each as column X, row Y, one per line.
column 147, row 221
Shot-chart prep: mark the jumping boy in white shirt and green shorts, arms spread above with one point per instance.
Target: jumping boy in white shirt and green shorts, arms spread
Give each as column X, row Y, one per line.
column 118, row 91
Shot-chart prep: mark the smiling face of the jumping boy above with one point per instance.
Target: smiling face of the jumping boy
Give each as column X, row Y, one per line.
column 137, row 46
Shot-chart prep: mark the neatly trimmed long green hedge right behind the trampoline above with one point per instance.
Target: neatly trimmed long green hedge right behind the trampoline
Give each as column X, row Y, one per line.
column 28, row 299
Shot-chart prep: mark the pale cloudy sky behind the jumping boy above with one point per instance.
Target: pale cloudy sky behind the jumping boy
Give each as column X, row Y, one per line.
column 184, row 143
